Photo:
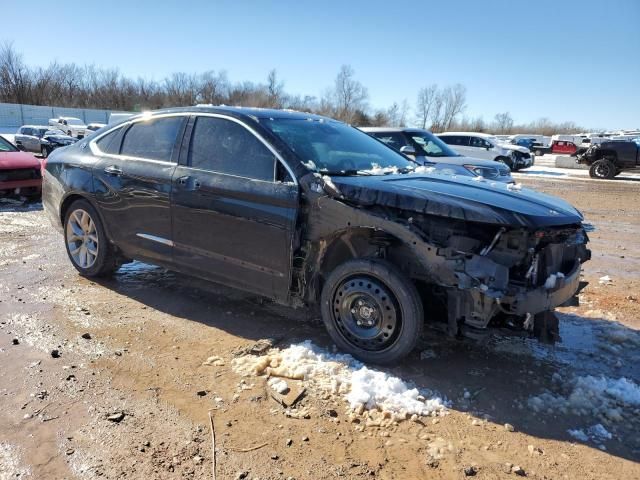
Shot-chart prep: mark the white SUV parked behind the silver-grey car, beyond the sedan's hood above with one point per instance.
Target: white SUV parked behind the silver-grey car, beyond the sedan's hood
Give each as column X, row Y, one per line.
column 482, row 145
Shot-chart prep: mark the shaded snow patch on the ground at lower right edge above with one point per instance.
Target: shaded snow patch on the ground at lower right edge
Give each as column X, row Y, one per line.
column 601, row 397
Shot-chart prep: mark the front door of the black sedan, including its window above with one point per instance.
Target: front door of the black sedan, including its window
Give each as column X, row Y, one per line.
column 234, row 207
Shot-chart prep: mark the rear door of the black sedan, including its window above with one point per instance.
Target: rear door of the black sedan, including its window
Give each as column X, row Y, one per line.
column 133, row 181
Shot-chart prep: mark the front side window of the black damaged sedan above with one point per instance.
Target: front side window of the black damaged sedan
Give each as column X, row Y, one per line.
column 224, row 146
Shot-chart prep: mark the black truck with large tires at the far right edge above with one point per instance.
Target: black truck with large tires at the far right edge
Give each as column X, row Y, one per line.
column 608, row 159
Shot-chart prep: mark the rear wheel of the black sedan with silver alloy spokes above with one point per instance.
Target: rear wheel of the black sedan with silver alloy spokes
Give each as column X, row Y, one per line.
column 100, row 258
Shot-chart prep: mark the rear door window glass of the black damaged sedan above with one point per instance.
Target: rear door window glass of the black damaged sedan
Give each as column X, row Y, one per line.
column 153, row 139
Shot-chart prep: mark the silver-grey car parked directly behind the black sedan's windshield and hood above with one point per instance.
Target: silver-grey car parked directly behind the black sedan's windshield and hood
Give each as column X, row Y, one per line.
column 427, row 149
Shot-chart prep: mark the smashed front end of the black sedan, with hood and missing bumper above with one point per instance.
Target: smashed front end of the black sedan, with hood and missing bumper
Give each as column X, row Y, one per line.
column 483, row 255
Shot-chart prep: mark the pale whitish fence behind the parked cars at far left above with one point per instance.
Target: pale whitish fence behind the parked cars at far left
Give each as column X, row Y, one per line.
column 14, row 115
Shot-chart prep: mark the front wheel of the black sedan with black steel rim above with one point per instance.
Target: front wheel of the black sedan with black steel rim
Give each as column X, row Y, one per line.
column 357, row 297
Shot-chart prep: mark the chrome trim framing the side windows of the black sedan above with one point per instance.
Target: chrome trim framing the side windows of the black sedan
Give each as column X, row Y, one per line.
column 127, row 123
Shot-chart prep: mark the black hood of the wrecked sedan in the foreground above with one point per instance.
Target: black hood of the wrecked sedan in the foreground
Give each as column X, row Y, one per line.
column 462, row 198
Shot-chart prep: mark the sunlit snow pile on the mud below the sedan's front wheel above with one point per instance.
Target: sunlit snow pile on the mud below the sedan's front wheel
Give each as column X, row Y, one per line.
column 361, row 387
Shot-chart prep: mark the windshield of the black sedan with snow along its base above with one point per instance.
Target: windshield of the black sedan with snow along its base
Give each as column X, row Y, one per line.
column 334, row 148
